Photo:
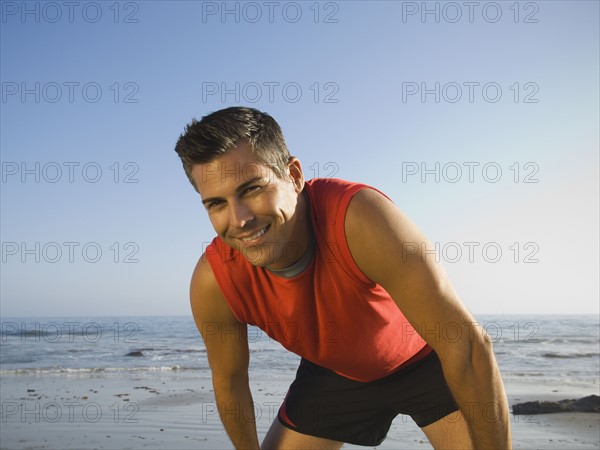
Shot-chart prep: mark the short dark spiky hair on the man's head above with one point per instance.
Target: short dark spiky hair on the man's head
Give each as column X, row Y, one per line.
column 206, row 140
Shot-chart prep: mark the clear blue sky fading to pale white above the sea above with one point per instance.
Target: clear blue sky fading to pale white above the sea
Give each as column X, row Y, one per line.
column 479, row 119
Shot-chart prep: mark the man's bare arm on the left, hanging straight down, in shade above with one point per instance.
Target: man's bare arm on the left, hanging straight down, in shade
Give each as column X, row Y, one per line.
column 226, row 341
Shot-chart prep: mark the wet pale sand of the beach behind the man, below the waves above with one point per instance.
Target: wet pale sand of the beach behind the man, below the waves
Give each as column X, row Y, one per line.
column 176, row 410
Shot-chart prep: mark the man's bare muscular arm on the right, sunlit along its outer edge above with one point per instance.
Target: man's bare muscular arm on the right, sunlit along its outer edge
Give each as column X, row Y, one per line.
column 388, row 248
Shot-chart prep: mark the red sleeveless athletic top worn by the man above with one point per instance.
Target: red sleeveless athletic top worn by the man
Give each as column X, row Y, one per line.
column 331, row 313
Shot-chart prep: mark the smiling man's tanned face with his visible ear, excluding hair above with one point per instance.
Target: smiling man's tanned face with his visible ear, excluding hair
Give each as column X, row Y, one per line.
column 253, row 210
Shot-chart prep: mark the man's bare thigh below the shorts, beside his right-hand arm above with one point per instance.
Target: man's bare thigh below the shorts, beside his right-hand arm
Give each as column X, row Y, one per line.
column 450, row 432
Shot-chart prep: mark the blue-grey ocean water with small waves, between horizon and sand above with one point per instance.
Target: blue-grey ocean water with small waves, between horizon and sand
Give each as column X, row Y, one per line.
column 529, row 349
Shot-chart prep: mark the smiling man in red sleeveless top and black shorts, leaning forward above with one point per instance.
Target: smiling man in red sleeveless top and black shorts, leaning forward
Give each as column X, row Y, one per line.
column 341, row 264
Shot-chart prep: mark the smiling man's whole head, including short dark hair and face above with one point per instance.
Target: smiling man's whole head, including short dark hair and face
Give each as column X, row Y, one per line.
column 237, row 161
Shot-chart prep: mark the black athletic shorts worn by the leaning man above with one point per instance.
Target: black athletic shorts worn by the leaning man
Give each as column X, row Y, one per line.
column 324, row 404
